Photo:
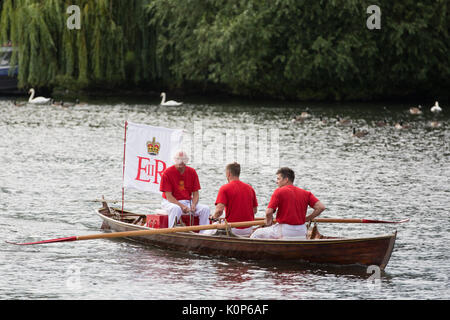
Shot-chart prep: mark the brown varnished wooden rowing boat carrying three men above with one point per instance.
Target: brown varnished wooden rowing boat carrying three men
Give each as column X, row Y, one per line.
column 316, row 248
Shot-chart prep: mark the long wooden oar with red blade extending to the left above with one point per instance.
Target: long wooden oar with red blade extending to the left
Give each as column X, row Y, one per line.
column 148, row 232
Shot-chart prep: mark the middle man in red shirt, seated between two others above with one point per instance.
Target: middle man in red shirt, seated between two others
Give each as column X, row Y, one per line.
column 238, row 199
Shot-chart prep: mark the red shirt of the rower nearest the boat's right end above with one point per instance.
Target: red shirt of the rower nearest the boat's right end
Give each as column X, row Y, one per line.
column 292, row 203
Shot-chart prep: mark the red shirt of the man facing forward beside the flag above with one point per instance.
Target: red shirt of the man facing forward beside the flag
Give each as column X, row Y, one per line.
column 181, row 185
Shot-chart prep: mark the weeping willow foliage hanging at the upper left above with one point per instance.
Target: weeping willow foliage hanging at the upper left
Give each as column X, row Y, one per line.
column 111, row 48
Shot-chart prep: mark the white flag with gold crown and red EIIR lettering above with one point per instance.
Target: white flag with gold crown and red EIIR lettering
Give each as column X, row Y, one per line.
column 148, row 152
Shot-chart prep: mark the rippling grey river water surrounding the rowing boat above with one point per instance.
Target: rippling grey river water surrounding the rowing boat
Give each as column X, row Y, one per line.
column 56, row 160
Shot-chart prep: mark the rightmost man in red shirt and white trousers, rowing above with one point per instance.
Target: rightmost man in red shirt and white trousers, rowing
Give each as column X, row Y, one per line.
column 292, row 204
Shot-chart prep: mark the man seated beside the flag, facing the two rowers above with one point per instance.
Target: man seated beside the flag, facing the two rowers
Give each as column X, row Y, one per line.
column 180, row 186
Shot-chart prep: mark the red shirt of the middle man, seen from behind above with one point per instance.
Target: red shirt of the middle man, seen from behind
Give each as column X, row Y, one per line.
column 239, row 199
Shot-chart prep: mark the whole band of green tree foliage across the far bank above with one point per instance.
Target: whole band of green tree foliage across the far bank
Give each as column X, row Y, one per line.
column 289, row 49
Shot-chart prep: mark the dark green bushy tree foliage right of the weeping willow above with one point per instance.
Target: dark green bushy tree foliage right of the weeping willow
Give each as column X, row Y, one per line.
column 306, row 49
